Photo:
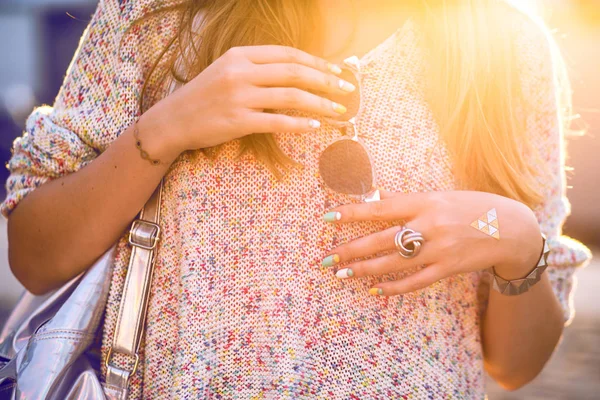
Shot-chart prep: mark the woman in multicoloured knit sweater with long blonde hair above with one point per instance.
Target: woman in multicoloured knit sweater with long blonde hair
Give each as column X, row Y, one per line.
column 268, row 282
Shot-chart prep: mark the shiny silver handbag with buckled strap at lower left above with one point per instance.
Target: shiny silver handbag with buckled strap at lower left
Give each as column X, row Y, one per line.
column 46, row 345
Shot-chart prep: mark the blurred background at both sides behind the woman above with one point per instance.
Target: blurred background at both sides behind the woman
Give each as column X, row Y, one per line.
column 38, row 39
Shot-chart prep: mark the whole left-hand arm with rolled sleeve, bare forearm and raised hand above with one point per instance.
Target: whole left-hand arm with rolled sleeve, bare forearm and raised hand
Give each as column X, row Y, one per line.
column 83, row 201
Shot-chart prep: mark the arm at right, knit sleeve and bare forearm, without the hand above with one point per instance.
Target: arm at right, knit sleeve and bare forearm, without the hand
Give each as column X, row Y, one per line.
column 519, row 333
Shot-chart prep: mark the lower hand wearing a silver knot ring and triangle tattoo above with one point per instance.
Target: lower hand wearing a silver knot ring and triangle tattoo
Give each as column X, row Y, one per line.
column 451, row 245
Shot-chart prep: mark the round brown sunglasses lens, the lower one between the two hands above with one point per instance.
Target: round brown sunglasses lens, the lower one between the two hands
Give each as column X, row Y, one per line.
column 346, row 168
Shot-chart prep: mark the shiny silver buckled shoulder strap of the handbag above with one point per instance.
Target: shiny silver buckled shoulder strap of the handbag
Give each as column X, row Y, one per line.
column 143, row 237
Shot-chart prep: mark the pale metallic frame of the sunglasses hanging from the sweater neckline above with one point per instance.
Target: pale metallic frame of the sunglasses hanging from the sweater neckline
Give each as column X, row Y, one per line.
column 352, row 64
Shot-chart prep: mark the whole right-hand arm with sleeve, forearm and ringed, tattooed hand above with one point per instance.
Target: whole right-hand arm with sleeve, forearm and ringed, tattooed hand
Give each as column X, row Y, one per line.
column 519, row 332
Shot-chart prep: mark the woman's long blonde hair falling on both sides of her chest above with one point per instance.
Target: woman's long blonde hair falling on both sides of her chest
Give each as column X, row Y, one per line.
column 473, row 72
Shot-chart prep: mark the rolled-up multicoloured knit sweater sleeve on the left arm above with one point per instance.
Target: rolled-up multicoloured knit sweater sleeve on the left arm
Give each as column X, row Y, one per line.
column 86, row 116
